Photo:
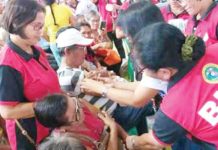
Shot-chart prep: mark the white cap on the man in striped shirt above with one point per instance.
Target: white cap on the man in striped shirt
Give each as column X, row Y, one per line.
column 71, row 37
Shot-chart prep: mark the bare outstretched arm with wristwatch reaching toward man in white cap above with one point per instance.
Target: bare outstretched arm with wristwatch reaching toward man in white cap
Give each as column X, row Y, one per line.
column 136, row 98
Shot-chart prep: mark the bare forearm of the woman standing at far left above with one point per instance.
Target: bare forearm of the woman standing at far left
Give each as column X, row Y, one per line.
column 22, row 110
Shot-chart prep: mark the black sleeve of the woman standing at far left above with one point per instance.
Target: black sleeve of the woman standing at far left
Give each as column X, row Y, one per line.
column 11, row 86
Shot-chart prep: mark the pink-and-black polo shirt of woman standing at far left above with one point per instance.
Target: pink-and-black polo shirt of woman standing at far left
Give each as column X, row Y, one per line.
column 25, row 78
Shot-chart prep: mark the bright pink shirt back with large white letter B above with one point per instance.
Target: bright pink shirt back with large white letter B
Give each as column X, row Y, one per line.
column 192, row 101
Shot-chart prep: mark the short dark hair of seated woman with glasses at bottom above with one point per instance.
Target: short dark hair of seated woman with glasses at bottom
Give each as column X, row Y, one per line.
column 51, row 109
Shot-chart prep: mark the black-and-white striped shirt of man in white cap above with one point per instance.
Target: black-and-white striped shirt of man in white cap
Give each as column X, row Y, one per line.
column 70, row 78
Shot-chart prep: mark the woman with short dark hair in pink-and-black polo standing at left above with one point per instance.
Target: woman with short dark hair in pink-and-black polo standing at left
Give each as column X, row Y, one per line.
column 25, row 74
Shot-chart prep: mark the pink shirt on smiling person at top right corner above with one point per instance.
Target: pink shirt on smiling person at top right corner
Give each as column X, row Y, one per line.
column 206, row 27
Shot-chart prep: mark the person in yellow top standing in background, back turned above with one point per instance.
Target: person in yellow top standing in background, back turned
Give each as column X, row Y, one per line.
column 57, row 16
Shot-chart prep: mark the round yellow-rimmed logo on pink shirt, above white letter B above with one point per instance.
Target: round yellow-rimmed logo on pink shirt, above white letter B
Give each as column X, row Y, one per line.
column 210, row 73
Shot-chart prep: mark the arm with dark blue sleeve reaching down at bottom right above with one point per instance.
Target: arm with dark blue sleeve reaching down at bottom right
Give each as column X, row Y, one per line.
column 165, row 132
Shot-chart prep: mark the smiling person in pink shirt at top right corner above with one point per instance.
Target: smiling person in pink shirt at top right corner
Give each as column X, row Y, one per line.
column 204, row 21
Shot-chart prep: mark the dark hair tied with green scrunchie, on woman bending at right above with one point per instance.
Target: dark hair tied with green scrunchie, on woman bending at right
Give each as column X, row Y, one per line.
column 159, row 46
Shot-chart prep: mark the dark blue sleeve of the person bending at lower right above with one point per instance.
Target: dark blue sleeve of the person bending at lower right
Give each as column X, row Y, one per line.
column 165, row 130
